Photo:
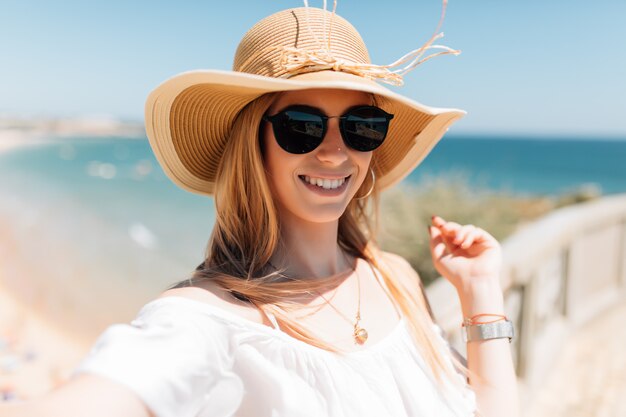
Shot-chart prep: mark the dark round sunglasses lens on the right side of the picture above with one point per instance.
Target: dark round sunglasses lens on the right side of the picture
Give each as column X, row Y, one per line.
column 365, row 128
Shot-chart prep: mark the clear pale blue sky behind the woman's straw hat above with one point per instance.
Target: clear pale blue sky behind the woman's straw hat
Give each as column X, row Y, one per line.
column 538, row 67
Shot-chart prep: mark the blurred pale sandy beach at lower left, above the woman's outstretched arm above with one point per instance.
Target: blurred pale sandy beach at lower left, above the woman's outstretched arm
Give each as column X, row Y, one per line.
column 46, row 326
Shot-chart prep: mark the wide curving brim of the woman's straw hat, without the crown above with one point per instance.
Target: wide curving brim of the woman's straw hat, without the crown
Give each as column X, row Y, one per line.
column 189, row 116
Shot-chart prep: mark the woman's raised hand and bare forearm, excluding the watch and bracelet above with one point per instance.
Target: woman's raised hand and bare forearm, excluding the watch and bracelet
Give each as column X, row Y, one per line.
column 470, row 259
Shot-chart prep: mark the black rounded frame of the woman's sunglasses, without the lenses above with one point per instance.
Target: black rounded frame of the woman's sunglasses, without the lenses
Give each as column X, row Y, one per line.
column 276, row 118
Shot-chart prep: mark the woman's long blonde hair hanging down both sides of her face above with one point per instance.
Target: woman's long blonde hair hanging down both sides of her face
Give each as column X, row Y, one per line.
column 247, row 232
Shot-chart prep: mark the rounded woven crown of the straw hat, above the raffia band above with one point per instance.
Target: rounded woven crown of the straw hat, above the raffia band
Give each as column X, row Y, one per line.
column 306, row 29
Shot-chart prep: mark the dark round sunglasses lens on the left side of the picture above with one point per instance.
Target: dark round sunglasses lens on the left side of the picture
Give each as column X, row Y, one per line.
column 298, row 131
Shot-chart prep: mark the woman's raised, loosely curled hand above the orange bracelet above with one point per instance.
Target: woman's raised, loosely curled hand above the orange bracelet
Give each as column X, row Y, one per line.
column 464, row 254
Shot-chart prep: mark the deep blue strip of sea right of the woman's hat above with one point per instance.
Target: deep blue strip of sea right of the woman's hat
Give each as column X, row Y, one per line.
column 530, row 166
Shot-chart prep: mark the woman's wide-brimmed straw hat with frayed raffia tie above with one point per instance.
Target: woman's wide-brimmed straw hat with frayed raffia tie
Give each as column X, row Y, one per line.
column 188, row 117
